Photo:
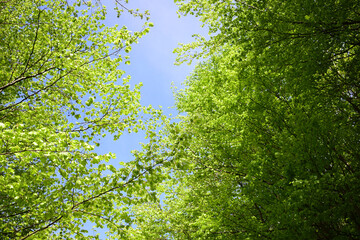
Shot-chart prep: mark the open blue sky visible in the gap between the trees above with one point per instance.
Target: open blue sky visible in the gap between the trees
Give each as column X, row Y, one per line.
column 152, row 63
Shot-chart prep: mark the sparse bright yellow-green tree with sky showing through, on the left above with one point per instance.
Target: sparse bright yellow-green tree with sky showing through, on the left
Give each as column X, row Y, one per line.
column 60, row 93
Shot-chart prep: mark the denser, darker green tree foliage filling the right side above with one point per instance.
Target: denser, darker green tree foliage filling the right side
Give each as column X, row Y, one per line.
column 268, row 145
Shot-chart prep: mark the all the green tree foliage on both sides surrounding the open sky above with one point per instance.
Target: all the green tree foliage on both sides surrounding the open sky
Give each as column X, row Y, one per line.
column 267, row 145
